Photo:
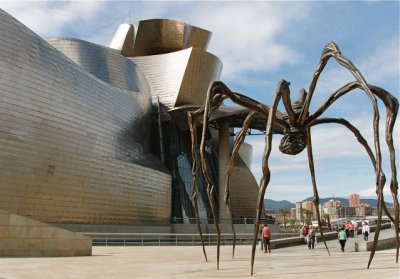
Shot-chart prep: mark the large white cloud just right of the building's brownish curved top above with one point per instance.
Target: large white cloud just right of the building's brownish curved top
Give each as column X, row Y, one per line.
column 247, row 36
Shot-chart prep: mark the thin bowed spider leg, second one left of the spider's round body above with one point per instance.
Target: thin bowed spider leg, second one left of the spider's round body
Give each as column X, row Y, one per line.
column 238, row 143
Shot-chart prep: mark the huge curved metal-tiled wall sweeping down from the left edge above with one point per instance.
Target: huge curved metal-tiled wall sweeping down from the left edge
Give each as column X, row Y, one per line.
column 63, row 133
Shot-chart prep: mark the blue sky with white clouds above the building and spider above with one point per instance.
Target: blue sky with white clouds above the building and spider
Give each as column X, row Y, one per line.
column 259, row 43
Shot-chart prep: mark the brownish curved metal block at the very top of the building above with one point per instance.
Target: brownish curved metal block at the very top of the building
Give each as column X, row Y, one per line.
column 159, row 36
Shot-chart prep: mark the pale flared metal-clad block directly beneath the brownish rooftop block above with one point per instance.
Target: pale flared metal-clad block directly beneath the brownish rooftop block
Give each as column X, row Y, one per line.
column 181, row 77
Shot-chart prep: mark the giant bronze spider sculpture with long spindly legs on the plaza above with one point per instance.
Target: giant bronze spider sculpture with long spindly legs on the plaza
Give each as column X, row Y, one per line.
column 295, row 126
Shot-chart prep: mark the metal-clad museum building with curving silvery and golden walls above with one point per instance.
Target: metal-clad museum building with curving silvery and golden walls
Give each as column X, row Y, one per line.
column 94, row 135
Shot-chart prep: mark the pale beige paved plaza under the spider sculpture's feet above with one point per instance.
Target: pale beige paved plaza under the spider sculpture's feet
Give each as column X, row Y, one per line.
column 188, row 262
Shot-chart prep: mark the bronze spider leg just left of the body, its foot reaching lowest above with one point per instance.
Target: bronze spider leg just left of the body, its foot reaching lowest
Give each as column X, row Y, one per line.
column 282, row 86
